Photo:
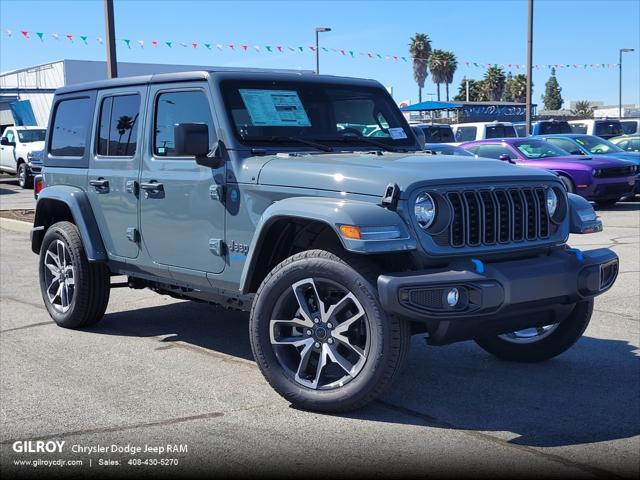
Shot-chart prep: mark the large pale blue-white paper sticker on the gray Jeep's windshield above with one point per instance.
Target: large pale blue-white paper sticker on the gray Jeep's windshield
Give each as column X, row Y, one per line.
column 275, row 108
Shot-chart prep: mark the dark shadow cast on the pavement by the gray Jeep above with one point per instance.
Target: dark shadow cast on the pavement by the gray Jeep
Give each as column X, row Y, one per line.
column 589, row 394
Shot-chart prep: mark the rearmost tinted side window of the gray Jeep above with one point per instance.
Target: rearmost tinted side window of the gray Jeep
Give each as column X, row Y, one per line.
column 69, row 135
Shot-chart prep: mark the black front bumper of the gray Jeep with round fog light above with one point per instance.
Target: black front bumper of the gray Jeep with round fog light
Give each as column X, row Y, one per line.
column 499, row 297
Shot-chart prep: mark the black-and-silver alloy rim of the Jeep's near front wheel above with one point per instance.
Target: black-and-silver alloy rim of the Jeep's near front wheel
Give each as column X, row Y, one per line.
column 320, row 333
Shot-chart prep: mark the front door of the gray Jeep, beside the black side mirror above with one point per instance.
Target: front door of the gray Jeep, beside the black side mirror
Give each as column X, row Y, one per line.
column 182, row 210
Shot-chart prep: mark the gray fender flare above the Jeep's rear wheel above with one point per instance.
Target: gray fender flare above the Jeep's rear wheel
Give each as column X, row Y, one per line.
column 78, row 204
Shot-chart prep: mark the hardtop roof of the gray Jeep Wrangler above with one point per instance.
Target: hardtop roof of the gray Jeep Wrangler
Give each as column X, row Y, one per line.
column 195, row 75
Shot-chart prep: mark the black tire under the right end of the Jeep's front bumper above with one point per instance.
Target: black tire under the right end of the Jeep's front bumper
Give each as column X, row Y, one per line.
column 558, row 341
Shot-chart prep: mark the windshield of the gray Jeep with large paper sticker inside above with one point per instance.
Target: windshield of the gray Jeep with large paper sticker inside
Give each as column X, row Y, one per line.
column 320, row 112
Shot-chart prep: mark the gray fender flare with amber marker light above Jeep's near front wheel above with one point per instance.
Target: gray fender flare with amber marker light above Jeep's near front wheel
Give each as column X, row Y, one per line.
column 333, row 212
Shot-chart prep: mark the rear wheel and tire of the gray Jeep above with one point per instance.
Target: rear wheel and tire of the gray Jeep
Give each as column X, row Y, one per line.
column 91, row 281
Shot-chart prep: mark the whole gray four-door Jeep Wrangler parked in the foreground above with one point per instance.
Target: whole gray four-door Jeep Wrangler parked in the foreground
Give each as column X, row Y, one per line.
column 260, row 191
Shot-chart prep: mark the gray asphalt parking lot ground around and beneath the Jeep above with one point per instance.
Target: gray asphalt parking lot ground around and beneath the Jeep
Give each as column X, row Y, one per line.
column 159, row 371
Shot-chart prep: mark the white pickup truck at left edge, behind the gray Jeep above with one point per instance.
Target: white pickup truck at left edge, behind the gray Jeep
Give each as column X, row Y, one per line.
column 16, row 147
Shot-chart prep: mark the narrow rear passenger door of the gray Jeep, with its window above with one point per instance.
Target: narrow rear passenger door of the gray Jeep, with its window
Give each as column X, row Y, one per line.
column 115, row 167
